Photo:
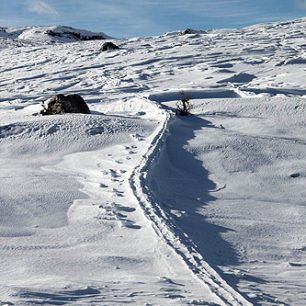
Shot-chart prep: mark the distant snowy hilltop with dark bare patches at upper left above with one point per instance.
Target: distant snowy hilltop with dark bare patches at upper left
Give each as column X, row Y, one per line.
column 51, row 34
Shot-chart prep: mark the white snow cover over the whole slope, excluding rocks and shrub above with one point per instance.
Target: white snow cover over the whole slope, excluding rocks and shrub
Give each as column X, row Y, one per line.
column 133, row 204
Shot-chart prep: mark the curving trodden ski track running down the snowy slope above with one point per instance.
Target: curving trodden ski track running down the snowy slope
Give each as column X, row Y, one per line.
column 176, row 239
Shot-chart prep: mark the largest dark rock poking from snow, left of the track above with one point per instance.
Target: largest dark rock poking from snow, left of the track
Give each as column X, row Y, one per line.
column 61, row 104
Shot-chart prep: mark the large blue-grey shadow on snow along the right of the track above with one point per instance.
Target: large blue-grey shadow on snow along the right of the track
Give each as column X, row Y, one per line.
column 181, row 185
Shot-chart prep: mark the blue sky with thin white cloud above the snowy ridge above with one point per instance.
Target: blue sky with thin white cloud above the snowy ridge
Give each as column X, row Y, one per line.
column 128, row 18
